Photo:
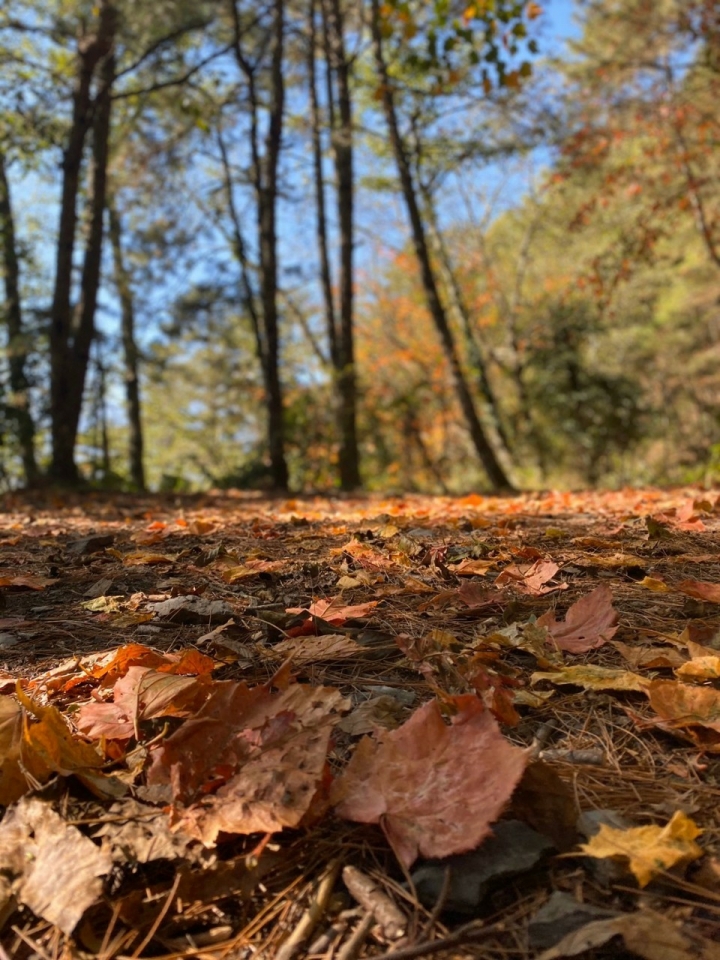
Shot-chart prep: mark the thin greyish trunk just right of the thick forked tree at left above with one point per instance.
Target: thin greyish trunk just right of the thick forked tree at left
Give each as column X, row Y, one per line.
column 130, row 353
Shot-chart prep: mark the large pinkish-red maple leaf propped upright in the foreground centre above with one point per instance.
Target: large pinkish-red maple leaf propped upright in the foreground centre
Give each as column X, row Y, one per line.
column 434, row 788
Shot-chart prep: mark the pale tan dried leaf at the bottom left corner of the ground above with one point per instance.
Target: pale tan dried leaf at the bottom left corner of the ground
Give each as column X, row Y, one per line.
column 57, row 872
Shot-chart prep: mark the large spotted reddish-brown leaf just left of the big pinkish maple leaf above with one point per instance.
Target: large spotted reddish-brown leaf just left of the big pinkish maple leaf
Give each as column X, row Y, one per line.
column 261, row 751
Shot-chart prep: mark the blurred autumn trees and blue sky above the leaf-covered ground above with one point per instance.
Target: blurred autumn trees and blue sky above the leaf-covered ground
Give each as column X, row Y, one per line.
column 334, row 243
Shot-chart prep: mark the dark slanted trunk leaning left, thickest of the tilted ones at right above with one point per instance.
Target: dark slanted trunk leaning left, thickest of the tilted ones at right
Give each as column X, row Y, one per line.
column 496, row 474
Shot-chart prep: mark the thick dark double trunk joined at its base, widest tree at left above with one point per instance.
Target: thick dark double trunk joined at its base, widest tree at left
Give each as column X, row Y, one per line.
column 71, row 336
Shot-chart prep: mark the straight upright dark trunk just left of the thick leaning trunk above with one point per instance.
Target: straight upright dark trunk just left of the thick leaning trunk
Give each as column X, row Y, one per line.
column 342, row 144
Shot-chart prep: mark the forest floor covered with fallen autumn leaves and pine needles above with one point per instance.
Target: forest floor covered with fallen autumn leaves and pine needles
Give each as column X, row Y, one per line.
column 242, row 727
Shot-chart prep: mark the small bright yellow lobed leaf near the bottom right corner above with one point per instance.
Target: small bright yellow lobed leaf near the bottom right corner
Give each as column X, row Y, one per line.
column 650, row 850
